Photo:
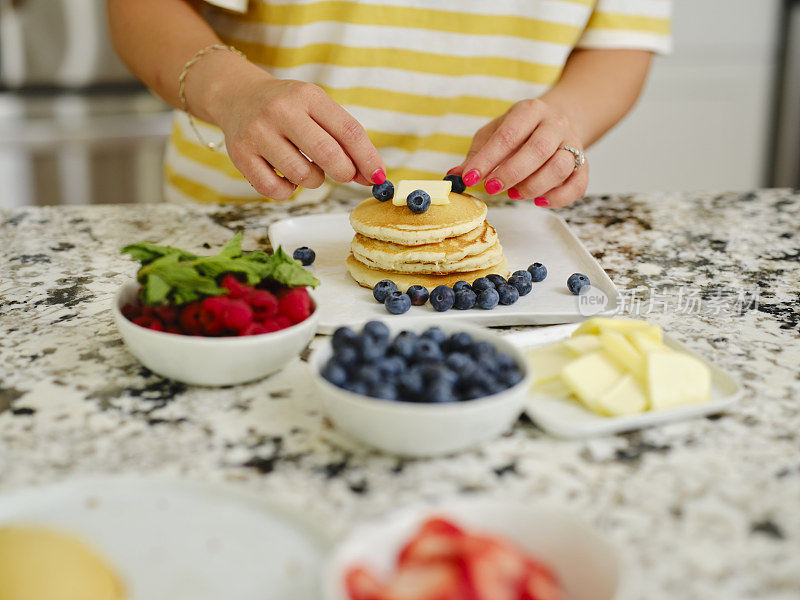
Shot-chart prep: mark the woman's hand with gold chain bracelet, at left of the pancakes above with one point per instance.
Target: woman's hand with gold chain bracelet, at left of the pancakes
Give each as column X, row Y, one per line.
column 270, row 122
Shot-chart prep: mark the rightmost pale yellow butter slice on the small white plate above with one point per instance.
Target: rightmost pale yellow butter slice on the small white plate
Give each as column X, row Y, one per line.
column 676, row 379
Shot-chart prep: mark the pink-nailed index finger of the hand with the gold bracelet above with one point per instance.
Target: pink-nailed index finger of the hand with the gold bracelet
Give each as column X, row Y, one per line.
column 351, row 135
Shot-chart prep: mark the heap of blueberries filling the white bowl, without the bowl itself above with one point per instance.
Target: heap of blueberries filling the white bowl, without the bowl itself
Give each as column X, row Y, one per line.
column 427, row 368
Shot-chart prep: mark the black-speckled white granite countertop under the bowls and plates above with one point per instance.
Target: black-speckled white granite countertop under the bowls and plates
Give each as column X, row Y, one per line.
column 705, row 509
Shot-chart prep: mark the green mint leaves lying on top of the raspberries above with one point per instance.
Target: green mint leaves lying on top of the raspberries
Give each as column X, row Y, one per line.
column 174, row 276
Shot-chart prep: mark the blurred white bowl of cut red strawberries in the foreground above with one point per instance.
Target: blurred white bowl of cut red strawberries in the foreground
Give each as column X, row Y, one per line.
column 473, row 550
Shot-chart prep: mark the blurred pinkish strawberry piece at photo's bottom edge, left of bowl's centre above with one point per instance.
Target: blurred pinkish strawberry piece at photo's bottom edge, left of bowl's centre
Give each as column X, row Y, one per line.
column 436, row 581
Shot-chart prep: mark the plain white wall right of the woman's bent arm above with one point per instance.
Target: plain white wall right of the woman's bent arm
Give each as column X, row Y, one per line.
column 703, row 120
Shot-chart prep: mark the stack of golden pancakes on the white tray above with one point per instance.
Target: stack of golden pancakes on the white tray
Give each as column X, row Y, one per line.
column 445, row 244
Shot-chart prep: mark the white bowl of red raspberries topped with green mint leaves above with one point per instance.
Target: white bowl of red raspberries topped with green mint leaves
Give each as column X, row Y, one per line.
column 215, row 320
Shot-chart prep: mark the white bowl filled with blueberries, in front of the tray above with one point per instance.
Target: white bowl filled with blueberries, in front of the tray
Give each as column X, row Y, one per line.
column 416, row 390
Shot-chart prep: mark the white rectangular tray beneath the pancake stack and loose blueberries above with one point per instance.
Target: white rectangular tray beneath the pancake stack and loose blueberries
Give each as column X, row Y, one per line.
column 527, row 235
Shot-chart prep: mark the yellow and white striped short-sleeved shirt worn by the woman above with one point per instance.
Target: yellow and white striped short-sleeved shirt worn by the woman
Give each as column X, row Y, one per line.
column 421, row 76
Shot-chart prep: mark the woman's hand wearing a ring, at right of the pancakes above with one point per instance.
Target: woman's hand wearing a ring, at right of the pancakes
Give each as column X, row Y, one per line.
column 522, row 152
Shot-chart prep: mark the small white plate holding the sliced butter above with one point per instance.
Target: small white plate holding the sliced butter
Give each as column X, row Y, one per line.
column 566, row 418
